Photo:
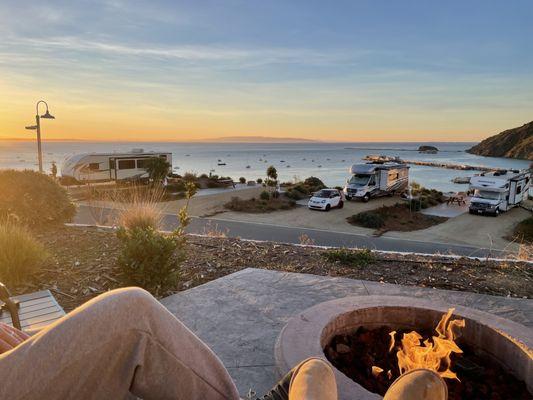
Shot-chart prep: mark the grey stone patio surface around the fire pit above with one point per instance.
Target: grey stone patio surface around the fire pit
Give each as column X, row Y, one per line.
column 241, row 315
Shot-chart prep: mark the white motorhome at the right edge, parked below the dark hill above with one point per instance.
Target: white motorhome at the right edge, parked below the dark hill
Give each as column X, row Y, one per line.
column 498, row 191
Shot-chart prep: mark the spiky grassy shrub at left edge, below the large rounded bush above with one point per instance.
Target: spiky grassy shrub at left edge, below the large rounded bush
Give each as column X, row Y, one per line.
column 20, row 253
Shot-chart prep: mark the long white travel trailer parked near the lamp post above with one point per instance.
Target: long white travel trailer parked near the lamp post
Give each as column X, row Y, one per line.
column 101, row 167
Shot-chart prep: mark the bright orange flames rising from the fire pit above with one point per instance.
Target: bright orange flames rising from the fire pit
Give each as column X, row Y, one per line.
column 432, row 354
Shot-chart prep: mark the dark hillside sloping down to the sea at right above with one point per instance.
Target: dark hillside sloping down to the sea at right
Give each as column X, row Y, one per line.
column 512, row 143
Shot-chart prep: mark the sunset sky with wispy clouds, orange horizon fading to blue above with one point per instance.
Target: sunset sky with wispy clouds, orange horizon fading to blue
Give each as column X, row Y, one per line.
column 355, row 70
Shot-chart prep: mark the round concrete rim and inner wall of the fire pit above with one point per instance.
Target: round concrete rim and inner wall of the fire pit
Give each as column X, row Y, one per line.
column 505, row 342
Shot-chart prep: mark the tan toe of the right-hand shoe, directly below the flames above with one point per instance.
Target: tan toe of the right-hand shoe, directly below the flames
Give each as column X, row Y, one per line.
column 418, row 384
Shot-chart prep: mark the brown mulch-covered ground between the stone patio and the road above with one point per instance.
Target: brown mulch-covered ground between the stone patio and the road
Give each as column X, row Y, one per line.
column 83, row 265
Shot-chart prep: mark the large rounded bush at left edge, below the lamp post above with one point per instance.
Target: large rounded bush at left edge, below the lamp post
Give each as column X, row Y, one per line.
column 33, row 198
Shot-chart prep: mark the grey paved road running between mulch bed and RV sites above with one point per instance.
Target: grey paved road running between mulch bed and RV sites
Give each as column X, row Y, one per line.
column 259, row 231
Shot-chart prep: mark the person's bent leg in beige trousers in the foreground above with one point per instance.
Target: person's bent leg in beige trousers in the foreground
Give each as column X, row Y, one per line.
column 119, row 344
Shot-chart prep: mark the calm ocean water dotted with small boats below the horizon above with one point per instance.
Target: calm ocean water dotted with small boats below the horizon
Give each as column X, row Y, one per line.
column 328, row 161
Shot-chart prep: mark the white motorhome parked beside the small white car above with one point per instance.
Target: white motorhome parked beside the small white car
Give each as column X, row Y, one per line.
column 376, row 179
